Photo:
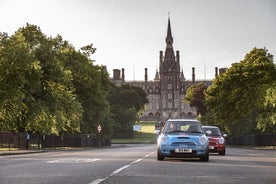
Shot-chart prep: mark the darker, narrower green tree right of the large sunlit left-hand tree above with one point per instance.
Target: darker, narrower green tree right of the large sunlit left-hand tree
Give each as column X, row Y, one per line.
column 92, row 88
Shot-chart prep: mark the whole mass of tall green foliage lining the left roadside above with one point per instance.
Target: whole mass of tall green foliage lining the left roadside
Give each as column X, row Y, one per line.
column 48, row 87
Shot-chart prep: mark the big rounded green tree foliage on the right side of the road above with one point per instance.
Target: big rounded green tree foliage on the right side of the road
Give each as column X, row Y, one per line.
column 236, row 98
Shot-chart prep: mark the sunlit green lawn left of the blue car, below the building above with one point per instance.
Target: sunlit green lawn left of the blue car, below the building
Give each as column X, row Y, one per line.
column 145, row 135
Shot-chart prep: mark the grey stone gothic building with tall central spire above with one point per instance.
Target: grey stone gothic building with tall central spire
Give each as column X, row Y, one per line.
column 167, row 91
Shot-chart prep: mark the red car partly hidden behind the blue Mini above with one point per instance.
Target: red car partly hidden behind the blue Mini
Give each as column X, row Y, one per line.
column 216, row 139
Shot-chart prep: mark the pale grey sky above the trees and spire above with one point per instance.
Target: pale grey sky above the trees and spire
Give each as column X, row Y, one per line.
column 130, row 33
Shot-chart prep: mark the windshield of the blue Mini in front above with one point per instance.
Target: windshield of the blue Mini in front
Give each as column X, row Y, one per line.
column 182, row 126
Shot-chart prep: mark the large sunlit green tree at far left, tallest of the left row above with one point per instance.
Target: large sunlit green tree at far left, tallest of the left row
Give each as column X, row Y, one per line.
column 37, row 94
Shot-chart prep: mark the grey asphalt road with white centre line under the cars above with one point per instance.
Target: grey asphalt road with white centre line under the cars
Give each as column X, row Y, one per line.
column 136, row 164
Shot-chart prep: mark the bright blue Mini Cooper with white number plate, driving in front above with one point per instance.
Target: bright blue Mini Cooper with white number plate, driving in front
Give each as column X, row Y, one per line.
column 182, row 138
